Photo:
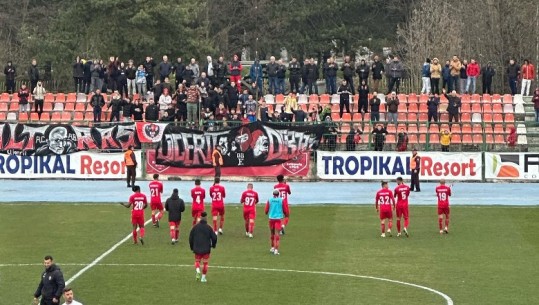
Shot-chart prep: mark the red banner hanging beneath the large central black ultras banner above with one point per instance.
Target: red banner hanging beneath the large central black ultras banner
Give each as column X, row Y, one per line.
column 298, row 167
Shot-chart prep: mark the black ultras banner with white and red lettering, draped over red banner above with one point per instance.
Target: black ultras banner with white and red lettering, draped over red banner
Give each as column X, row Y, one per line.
column 249, row 145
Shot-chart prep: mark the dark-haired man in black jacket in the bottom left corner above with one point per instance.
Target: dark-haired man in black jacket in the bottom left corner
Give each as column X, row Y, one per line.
column 52, row 284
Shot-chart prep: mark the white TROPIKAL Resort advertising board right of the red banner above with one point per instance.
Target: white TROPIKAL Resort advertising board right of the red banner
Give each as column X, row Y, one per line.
column 390, row 165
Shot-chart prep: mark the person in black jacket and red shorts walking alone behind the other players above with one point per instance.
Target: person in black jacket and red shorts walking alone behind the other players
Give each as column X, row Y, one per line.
column 201, row 239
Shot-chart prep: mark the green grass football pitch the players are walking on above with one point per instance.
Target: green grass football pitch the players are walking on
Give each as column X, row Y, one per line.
column 489, row 257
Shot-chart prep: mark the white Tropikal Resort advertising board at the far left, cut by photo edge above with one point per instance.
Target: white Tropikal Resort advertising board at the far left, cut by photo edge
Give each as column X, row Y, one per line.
column 74, row 166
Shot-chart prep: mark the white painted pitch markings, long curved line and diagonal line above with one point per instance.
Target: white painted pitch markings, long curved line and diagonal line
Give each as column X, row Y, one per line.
column 448, row 300
